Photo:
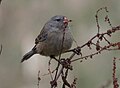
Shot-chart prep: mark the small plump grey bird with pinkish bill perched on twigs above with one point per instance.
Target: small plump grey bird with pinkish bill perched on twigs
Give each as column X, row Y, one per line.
column 54, row 39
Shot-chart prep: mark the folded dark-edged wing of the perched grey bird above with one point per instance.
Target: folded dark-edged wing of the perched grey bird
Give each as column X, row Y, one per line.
column 42, row 36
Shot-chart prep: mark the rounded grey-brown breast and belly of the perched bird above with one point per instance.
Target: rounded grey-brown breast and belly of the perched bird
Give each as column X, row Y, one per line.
column 56, row 42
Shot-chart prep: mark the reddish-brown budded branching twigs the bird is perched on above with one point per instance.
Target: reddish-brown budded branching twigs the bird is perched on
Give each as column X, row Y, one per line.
column 65, row 64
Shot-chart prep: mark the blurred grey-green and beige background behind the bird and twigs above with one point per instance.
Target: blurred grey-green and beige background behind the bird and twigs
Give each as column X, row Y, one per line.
column 21, row 22
